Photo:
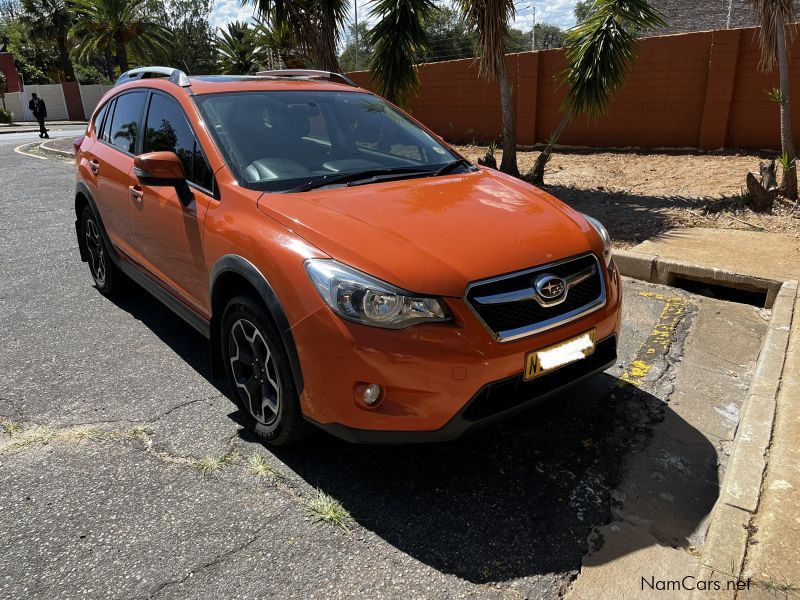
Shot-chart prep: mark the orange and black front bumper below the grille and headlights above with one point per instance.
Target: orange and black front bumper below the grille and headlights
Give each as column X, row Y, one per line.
column 439, row 380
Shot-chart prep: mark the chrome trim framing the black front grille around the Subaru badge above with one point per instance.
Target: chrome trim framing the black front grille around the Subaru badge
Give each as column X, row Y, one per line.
column 539, row 326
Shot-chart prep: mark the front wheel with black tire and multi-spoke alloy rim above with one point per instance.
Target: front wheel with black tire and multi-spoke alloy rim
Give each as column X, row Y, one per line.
column 258, row 373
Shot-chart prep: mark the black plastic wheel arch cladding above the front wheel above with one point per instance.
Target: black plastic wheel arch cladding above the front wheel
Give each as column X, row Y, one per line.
column 233, row 275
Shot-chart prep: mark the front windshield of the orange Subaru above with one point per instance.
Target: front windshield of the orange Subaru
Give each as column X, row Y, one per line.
column 279, row 140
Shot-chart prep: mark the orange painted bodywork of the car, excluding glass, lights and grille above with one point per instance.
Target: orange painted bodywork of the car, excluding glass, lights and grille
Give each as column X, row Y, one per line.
column 429, row 236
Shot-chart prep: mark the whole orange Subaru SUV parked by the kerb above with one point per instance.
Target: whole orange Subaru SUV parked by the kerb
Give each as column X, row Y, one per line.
column 349, row 269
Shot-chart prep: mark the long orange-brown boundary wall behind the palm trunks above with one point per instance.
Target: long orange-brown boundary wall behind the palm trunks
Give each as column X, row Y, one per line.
column 696, row 90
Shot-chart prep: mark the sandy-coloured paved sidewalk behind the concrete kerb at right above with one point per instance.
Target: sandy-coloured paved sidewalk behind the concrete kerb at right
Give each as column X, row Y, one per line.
column 772, row 551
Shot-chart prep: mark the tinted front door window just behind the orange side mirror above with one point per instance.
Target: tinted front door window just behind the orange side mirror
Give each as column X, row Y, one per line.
column 168, row 130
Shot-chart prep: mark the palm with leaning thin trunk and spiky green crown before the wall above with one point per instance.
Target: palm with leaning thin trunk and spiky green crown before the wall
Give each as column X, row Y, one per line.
column 599, row 51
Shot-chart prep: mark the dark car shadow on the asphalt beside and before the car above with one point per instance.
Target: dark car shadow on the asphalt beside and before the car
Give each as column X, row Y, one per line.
column 514, row 500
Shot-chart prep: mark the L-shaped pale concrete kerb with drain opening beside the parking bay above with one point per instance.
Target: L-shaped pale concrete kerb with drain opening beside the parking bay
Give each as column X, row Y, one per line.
column 726, row 540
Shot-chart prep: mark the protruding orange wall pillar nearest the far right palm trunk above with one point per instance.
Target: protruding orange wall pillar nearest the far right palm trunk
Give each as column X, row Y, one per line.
column 722, row 64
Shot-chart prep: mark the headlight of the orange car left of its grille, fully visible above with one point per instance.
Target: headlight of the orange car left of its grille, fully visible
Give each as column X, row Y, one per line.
column 356, row 296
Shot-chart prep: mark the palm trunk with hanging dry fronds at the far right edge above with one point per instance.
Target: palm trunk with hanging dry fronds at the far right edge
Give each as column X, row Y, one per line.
column 773, row 16
